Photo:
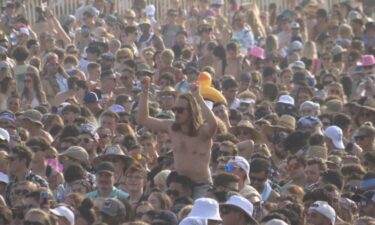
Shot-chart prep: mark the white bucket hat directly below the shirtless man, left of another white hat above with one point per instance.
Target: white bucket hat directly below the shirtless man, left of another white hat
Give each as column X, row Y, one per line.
column 206, row 208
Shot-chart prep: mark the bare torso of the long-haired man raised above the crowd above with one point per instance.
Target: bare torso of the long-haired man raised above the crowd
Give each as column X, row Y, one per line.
column 192, row 155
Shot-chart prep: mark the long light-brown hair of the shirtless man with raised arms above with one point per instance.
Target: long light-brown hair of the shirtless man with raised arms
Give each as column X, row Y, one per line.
column 195, row 119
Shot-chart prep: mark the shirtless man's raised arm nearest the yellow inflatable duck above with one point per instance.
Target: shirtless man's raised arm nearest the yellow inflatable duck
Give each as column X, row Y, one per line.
column 209, row 128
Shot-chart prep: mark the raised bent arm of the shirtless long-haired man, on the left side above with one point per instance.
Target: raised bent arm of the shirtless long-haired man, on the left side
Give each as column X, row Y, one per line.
column 143, row 117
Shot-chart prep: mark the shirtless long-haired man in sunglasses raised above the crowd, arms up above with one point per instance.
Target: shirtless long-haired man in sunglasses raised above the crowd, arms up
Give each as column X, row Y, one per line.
column 191, row 137
